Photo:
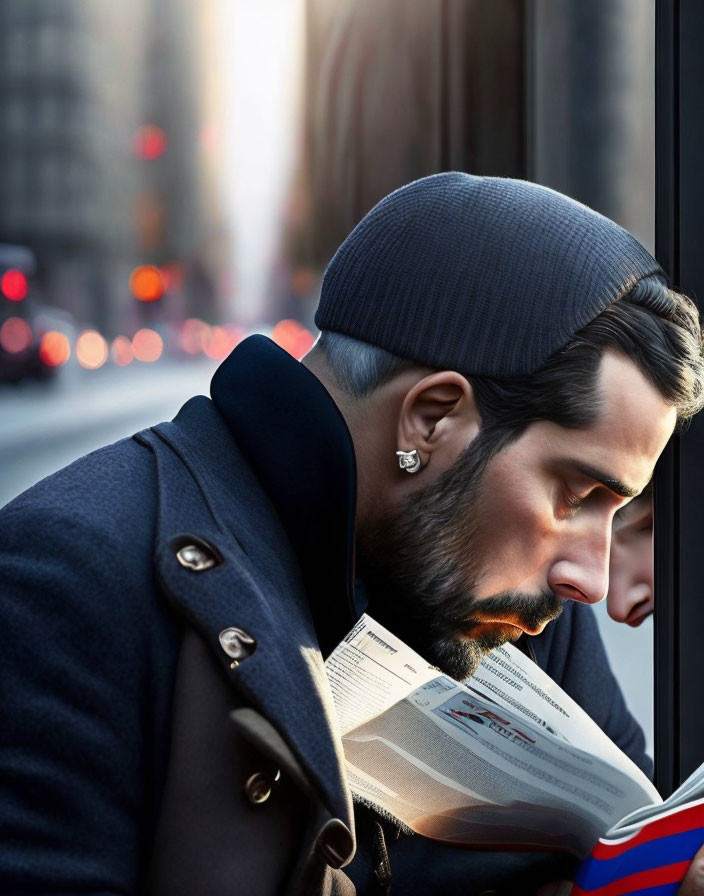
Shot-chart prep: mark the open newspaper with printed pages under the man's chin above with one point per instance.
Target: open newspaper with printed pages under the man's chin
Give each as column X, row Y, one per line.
column 505, row 759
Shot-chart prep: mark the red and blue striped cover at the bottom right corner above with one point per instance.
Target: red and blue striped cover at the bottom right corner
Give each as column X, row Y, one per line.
column 650, row 861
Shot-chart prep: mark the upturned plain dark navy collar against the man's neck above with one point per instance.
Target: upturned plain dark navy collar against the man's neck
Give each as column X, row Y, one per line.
column 293, row 436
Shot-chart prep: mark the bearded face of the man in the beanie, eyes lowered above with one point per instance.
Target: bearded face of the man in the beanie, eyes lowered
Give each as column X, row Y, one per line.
column 490, row 550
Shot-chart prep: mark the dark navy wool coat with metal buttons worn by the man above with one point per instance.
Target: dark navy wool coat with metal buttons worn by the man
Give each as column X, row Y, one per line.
column 129, row 754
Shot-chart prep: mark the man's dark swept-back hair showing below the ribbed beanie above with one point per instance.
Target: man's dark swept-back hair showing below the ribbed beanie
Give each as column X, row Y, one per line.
column 653, row 325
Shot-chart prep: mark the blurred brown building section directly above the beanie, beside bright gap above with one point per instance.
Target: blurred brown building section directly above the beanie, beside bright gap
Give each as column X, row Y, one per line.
column 395, row 91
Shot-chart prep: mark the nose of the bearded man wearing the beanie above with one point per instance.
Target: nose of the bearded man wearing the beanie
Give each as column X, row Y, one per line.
column 581, row 569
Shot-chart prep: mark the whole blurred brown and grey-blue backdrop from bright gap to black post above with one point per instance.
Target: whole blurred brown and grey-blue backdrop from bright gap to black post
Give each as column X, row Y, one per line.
column 555, row 91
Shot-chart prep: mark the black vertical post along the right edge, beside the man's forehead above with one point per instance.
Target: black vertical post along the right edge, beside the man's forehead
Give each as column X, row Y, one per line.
column 679, row 622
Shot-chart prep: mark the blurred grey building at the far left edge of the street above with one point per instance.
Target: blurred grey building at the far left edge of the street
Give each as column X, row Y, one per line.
column 67, row 176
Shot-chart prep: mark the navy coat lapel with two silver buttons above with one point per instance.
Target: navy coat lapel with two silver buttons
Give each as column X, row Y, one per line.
column 206, row 490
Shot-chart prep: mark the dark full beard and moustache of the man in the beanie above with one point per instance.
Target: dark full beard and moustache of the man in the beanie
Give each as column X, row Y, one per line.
column 420, row 566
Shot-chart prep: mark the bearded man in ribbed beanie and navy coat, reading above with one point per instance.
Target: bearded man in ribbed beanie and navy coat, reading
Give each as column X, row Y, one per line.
column 499, row 370
